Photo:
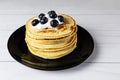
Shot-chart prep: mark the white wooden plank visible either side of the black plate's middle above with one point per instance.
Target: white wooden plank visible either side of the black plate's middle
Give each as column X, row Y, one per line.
column 106, row 47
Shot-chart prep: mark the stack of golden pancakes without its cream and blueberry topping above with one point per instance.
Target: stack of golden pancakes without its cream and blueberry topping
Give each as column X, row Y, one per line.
column 51, row 42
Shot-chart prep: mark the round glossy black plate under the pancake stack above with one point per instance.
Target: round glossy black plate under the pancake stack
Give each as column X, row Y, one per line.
column 19, row 51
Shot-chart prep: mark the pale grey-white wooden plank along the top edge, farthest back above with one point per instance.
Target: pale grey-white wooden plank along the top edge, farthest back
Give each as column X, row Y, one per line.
column 78, row 6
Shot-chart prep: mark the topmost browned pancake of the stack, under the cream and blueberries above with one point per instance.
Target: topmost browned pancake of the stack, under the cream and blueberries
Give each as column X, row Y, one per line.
column 61, row 31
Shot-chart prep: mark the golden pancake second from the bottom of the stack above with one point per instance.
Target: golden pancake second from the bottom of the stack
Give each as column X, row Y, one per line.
column 54, row 47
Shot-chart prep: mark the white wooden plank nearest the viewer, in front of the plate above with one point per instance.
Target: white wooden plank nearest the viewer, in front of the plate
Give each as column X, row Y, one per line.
column 85, row 71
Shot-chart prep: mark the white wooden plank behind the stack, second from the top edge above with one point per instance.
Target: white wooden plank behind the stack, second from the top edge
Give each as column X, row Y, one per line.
column 103, row 22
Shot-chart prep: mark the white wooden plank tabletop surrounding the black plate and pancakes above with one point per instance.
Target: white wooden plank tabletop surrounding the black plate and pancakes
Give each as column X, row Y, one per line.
column 100, row 17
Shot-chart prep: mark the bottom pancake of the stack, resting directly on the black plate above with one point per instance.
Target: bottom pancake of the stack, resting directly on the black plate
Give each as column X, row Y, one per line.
column 53, row 54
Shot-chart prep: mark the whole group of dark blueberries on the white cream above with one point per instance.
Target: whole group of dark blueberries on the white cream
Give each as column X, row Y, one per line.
column 43, row 19
